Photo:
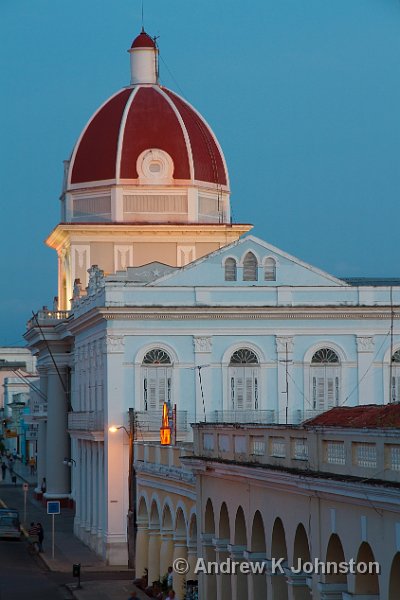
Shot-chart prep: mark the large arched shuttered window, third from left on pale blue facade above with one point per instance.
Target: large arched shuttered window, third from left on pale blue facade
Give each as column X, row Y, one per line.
column 325, row 378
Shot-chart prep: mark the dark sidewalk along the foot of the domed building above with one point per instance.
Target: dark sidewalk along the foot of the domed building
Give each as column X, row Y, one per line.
column 68, row 550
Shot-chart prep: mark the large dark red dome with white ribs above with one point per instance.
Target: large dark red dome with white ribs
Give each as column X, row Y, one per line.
column 141, row 118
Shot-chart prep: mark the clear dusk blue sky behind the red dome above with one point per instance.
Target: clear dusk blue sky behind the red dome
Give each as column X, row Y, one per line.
column 304, row 97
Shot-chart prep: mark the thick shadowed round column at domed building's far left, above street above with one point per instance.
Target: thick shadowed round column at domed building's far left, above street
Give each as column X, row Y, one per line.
column 58, row 447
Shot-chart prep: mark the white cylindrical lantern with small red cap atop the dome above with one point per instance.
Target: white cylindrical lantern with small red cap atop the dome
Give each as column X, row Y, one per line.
column 144, row 59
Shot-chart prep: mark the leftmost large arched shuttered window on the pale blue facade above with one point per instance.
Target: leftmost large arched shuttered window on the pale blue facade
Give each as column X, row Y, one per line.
column 156, row 377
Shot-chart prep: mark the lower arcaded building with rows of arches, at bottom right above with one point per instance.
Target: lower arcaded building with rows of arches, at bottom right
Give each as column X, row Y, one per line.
column 328, row 490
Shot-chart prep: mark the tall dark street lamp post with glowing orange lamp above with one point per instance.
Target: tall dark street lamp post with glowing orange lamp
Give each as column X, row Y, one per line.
column 131, row 517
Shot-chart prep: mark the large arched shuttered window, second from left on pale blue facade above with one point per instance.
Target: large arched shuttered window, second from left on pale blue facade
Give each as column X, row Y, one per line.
column 243, row 379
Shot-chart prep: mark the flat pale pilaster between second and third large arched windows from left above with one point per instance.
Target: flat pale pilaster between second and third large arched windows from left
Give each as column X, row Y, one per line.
column 284, row 350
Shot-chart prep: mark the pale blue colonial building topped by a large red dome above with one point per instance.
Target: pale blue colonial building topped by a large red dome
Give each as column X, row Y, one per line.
column 162, row 299
